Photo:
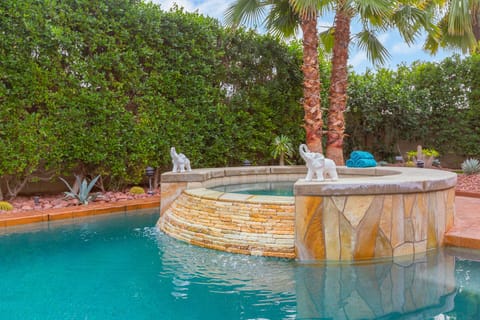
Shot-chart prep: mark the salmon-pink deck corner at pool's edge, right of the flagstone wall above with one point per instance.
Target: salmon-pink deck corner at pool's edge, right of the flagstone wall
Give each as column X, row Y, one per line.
column 466, row 229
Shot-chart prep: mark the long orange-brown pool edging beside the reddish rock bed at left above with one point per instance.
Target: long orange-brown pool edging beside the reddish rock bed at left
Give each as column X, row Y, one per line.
column 20, row 218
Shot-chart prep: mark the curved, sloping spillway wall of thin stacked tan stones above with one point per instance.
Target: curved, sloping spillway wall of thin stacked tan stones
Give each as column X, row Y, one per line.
column 252, row 226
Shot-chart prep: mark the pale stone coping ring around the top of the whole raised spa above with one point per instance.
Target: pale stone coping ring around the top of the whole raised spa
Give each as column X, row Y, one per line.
column 378, row 180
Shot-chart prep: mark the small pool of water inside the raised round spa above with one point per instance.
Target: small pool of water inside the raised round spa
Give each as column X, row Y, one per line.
column 277, row 188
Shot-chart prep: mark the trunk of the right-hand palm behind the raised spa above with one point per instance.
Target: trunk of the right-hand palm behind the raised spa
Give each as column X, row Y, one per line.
column 338, row 88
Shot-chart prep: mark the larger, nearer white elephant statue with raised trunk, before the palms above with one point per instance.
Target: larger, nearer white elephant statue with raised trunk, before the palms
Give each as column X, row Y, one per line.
column 318, row 165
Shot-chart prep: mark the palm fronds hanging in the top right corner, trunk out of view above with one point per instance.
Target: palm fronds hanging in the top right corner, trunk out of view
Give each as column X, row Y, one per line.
column 457, row 25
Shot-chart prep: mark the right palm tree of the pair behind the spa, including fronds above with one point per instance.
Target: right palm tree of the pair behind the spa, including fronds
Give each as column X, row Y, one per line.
column 374, row 15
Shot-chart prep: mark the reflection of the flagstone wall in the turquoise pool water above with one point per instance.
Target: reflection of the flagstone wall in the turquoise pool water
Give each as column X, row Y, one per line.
column 417, row 290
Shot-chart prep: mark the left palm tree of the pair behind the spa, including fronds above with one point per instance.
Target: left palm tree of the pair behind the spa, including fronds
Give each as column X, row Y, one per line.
column 282, row 19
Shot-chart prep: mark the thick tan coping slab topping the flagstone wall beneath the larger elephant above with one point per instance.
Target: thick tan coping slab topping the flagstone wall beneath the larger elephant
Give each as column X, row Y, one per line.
column 379, row 180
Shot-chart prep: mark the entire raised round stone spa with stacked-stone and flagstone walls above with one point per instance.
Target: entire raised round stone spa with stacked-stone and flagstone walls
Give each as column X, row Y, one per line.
column 366, row 214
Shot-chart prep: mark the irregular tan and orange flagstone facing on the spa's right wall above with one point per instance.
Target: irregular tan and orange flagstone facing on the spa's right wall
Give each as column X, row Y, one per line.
column 357, row 227
